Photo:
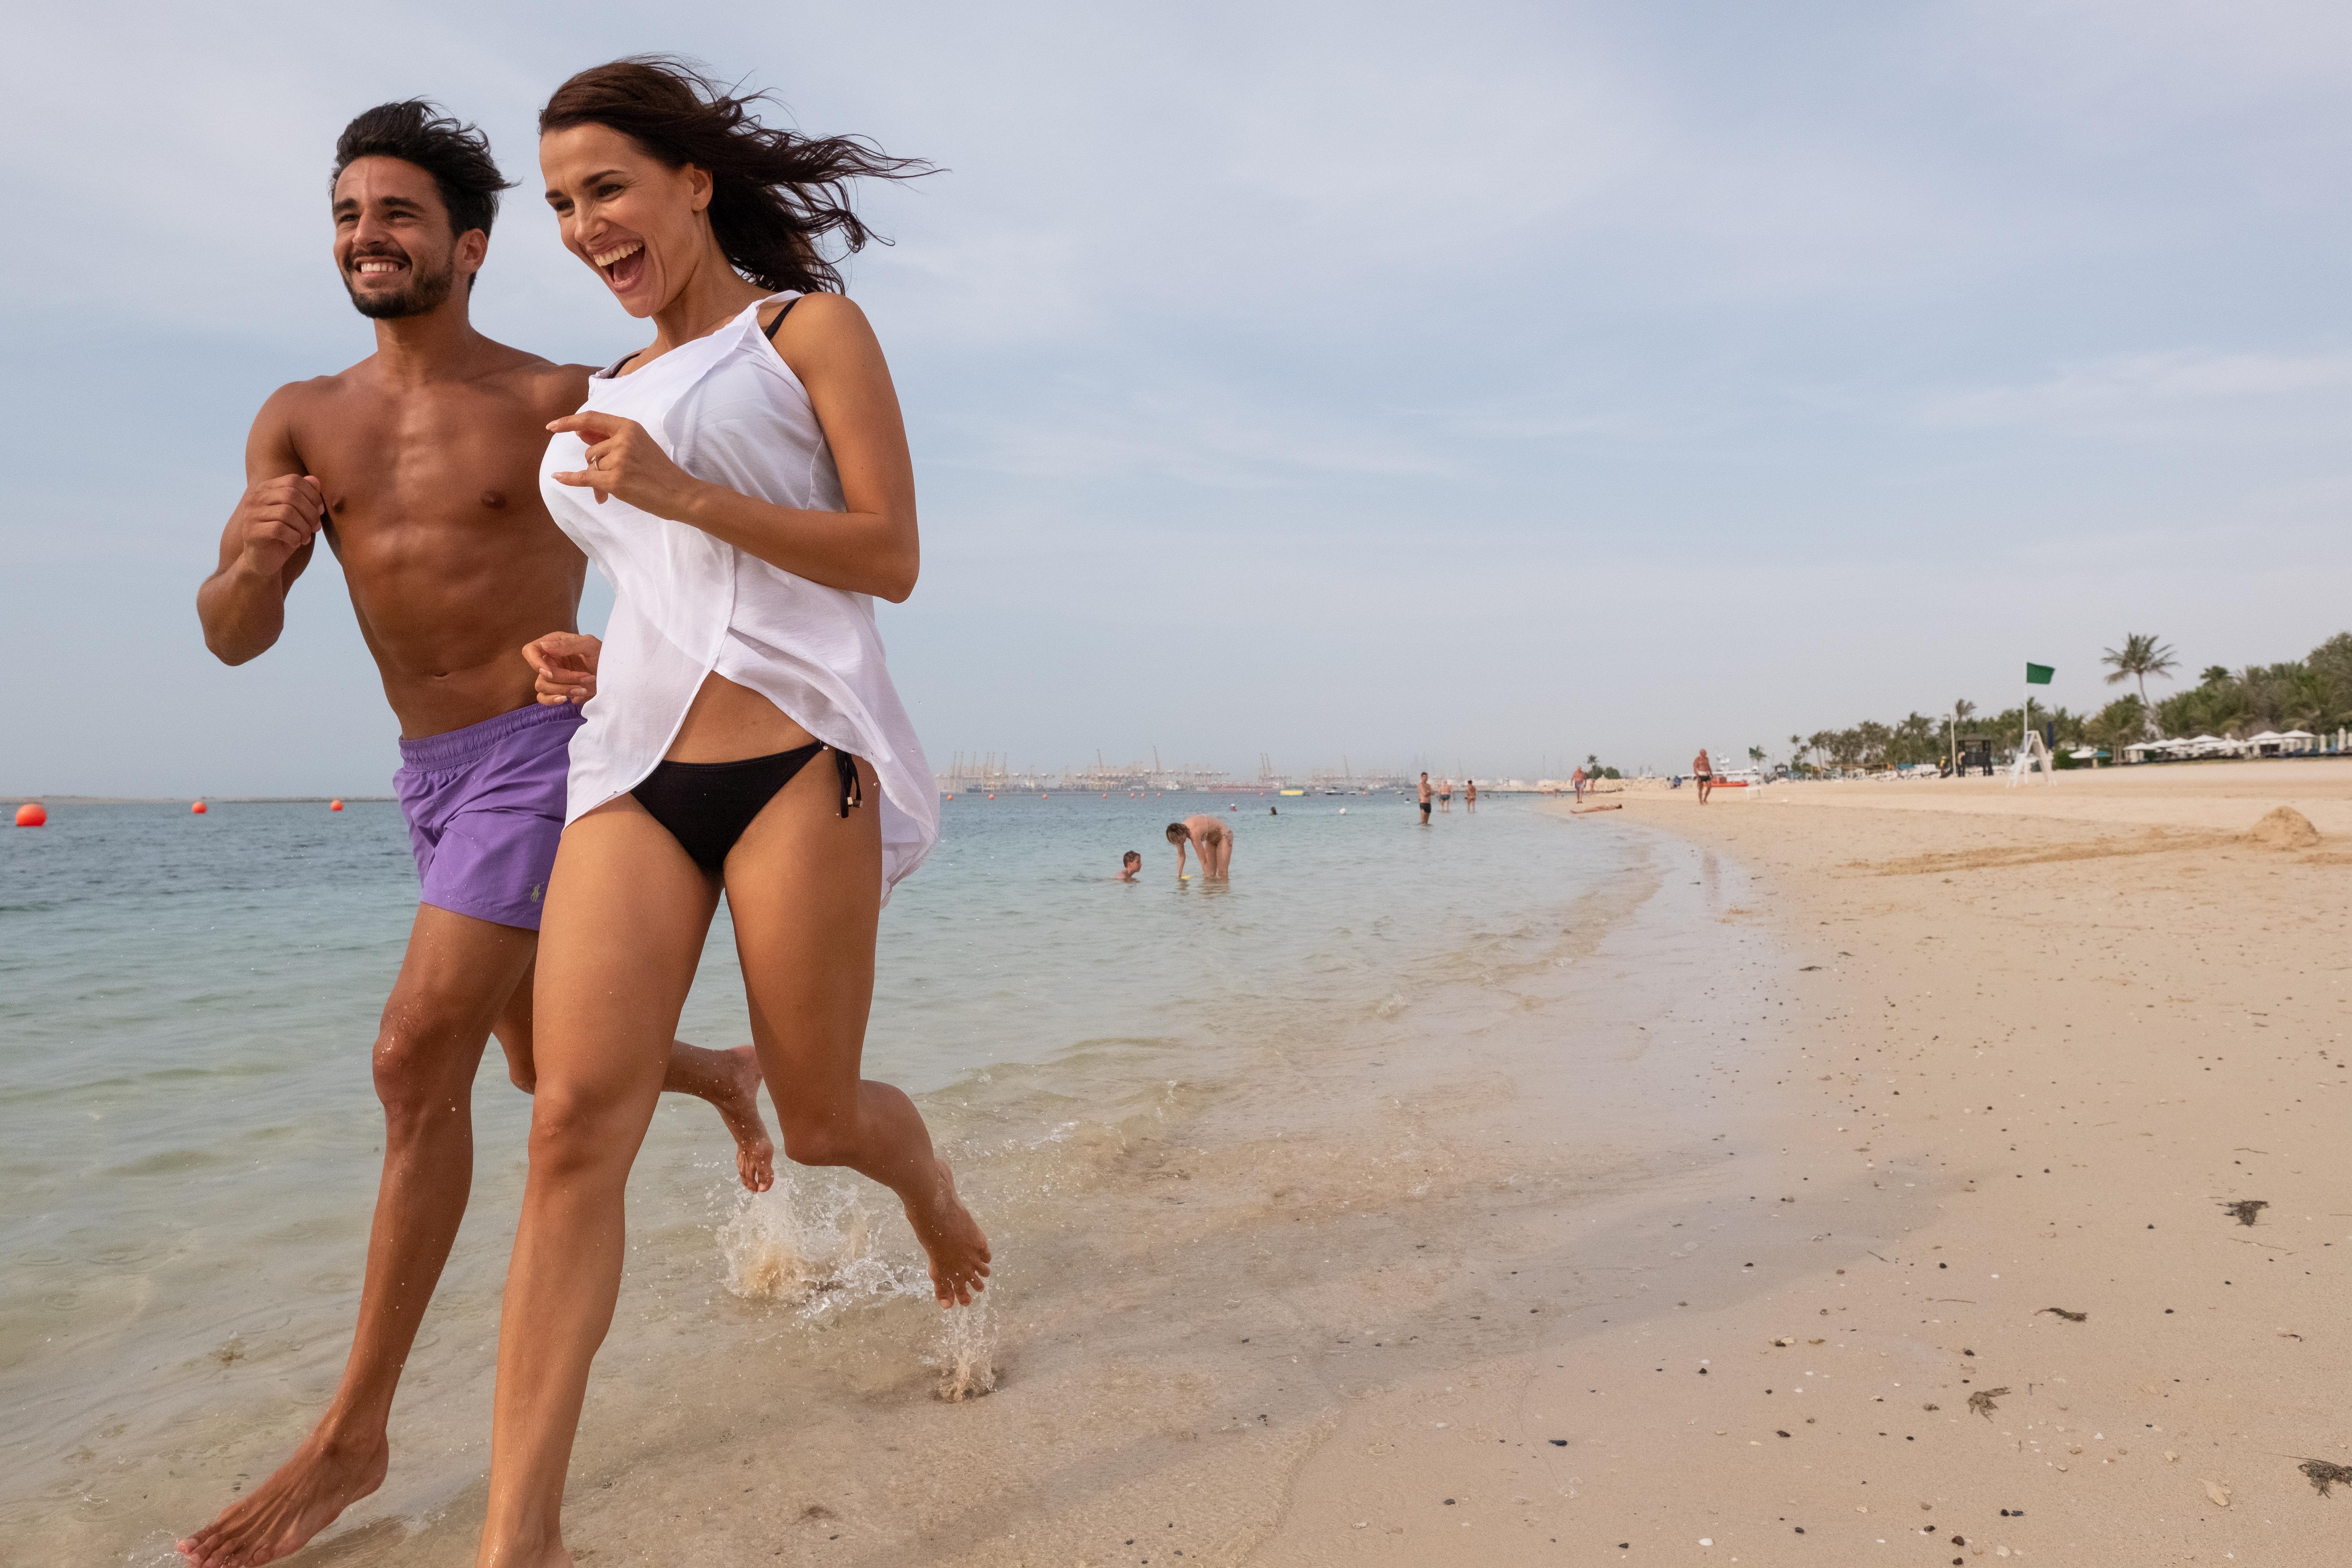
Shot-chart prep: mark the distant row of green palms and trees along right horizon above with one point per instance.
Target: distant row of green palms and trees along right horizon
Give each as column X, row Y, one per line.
column 2311, row 692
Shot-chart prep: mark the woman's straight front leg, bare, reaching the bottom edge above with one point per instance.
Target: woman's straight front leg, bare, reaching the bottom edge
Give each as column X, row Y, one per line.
column 624, row 927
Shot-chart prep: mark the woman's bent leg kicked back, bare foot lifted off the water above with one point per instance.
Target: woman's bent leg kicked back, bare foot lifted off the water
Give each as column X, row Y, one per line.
column 806, row 892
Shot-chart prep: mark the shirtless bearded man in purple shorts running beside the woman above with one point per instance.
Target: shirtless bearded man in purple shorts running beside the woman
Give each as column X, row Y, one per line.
column 422, row 469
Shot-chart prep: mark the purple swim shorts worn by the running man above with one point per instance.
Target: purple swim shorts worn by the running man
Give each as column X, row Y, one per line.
column 486, row 808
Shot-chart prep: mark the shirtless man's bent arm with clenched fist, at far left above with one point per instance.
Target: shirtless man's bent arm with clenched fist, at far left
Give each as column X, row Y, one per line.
column 267, row 542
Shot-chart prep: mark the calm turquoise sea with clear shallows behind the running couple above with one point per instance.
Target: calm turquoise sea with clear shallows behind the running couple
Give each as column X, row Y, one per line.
column 189, row 1139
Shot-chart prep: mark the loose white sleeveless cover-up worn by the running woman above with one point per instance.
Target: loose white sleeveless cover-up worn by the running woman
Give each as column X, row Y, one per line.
column 730, row 410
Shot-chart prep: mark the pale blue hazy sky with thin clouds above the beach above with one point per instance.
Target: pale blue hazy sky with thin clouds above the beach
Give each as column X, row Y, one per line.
column 1459, row 387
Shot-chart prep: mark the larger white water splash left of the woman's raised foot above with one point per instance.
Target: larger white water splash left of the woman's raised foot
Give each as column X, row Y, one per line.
column 810, row 1247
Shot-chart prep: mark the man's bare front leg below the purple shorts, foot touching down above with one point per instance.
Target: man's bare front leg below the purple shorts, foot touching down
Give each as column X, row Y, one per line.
column 453, row 986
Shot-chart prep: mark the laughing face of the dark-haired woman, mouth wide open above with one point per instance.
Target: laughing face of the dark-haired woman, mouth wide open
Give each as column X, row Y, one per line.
column 627, row 215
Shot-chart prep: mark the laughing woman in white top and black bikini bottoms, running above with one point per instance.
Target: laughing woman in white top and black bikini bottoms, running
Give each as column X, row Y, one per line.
column 744, row 483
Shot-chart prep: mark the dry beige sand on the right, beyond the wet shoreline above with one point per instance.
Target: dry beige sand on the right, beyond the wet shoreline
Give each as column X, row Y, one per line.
column 2040, row 1043
